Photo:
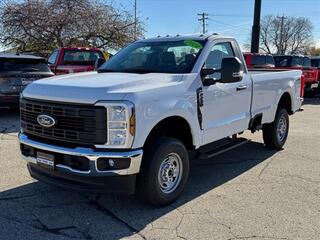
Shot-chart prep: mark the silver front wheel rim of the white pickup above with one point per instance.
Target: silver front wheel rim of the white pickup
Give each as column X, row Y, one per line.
column 170, row 173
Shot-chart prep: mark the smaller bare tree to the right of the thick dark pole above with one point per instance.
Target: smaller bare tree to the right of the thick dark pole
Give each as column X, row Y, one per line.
column 285, row 35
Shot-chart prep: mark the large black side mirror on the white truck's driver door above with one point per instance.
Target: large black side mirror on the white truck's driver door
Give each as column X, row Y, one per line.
column 231, row 70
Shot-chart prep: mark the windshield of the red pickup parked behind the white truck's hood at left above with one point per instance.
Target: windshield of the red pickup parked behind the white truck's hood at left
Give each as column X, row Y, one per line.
column 80, row 57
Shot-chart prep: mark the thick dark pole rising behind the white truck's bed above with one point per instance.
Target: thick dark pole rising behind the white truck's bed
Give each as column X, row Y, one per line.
column 255, row 37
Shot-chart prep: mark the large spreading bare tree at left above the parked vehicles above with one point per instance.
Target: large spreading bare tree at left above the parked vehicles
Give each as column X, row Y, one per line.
column 34, row 25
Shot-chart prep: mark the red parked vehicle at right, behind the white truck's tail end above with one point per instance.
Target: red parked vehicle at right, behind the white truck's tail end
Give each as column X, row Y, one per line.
column 311, row 79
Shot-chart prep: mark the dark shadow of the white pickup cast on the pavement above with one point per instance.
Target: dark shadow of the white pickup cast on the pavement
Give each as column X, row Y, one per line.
column 39, row 211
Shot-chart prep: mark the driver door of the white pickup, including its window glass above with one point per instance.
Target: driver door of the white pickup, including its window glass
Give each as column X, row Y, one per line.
column 226, row 109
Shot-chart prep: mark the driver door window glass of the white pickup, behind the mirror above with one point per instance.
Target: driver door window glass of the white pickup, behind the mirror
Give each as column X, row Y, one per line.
column 217, row 53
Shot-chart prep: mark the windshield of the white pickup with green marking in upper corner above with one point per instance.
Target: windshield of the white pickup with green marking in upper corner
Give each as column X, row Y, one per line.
column 156, row 56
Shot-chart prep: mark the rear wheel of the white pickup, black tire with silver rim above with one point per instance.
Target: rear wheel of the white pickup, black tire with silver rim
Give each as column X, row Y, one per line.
column 271, row 136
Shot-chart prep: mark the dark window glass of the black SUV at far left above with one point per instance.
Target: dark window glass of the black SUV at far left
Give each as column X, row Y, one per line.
column 23, row 65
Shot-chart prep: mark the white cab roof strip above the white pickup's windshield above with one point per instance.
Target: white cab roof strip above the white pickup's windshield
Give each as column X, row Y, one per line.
column 196, row 37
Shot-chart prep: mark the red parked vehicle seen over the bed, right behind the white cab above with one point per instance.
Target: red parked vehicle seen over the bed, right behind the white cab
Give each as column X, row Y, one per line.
column 258, row 60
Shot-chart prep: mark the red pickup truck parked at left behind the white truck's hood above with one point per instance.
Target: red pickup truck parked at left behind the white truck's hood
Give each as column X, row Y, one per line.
column 74, row 59
